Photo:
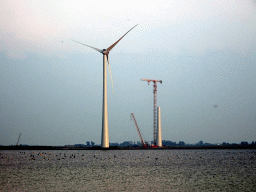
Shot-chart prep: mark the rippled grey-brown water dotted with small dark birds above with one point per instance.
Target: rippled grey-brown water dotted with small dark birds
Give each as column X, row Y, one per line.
column 143, row 170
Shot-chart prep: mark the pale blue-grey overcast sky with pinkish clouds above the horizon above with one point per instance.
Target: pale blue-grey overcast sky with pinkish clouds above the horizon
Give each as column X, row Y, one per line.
column 51, row 87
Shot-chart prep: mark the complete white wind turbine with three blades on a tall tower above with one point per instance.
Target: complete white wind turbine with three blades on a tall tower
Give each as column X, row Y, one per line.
column 105, row 52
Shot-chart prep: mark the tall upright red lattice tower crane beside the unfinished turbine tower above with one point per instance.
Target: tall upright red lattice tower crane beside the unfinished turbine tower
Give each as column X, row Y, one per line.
column 154, row 106
